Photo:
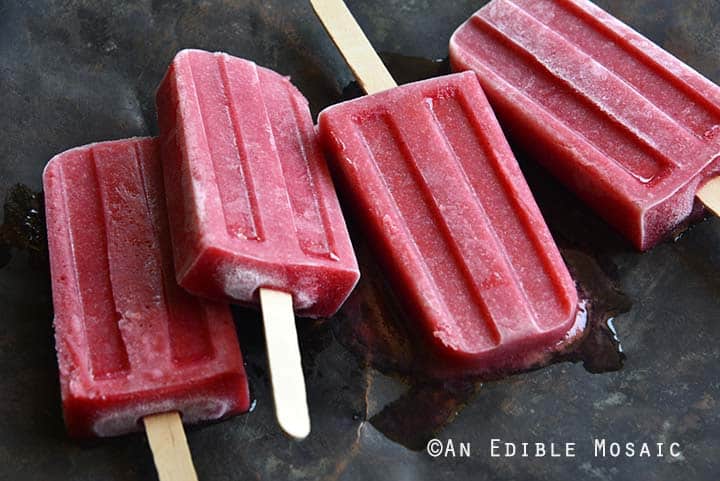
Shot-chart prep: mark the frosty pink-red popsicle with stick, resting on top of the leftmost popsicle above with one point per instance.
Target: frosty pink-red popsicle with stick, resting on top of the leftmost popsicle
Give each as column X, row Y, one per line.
column 253, row 213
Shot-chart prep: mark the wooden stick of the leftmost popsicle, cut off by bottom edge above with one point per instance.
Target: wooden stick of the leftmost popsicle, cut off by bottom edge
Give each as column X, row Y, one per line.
column 168, row 443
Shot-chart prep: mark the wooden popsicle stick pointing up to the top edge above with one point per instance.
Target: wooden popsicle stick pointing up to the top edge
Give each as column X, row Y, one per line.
column 354, row 46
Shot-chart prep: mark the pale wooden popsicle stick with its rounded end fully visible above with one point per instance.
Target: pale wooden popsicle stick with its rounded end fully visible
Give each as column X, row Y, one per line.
column 286, row 376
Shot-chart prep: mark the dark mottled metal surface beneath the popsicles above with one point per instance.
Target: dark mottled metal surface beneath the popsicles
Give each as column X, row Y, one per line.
column 73, row 72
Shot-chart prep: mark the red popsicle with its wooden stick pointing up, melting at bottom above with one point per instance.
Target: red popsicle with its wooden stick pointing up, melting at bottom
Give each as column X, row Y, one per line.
column 435, row 187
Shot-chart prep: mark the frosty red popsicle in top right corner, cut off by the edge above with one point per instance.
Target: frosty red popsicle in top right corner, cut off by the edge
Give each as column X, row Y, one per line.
column 632, row 130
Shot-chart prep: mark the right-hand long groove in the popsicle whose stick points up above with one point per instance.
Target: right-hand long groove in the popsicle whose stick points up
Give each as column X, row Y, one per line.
column 504, row 200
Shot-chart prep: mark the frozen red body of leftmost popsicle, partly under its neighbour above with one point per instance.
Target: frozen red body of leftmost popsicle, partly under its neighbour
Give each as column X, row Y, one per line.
column 131, row 344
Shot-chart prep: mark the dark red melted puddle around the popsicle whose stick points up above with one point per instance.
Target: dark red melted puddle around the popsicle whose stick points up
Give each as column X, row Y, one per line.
column 372, row 326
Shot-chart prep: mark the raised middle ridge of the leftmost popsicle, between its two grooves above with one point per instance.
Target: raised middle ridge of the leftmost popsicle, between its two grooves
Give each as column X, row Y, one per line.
column 138, row 300
